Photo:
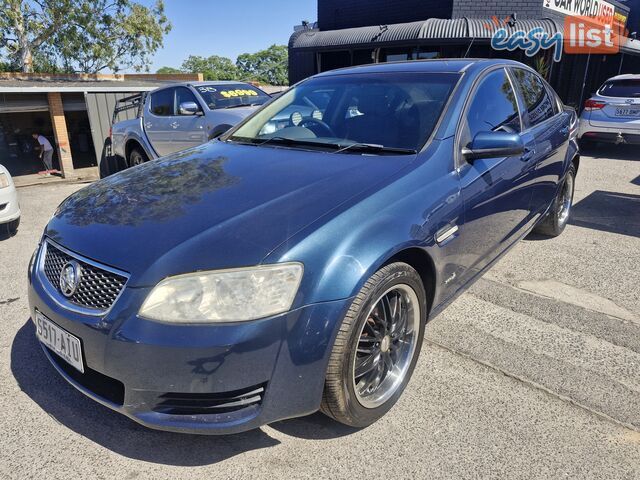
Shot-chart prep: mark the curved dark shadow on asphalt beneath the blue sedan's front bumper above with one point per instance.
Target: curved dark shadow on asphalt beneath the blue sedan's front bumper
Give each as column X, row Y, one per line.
column 39, row 380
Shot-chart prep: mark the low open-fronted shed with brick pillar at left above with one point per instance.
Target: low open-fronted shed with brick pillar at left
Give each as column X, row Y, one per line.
column 73, row 111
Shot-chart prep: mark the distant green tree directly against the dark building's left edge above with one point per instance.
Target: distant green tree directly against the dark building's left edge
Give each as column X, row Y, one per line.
column 268, row 66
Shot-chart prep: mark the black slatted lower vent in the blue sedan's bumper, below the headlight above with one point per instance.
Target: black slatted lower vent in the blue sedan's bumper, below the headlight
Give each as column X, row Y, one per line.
column 210, row 403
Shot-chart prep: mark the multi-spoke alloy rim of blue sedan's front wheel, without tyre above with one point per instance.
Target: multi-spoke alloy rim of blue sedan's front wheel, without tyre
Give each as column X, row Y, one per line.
column 386, row 346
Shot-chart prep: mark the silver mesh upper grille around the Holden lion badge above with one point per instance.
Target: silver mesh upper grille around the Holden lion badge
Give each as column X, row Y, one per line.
column 98, row 288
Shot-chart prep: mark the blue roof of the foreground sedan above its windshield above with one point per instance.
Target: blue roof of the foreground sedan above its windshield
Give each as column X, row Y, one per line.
column 444, row 65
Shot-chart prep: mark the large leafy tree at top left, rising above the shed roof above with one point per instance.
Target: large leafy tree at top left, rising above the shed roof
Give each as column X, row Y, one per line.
column 82, row 35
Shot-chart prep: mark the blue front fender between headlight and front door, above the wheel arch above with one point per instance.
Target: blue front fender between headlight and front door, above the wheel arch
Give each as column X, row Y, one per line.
column 340, row 254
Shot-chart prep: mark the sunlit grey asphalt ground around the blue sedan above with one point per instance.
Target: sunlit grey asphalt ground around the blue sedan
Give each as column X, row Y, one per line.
column 533, row 373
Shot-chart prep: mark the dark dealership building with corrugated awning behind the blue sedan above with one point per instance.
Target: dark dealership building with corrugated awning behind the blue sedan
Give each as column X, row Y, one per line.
column 358, row 32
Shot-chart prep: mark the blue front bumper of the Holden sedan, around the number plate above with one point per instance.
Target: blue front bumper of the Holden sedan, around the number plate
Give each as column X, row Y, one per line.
column 168, row 377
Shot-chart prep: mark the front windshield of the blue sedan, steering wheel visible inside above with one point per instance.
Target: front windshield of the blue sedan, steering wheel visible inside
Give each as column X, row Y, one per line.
column 390, row 112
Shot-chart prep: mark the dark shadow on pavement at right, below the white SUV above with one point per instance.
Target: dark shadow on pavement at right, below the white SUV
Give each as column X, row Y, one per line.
column 609, row 212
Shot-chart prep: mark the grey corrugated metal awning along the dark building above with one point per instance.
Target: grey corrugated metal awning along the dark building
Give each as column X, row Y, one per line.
column 431, row 29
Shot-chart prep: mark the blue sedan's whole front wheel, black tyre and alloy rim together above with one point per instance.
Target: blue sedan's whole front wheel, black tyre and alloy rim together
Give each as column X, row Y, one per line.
column 377, row 347
